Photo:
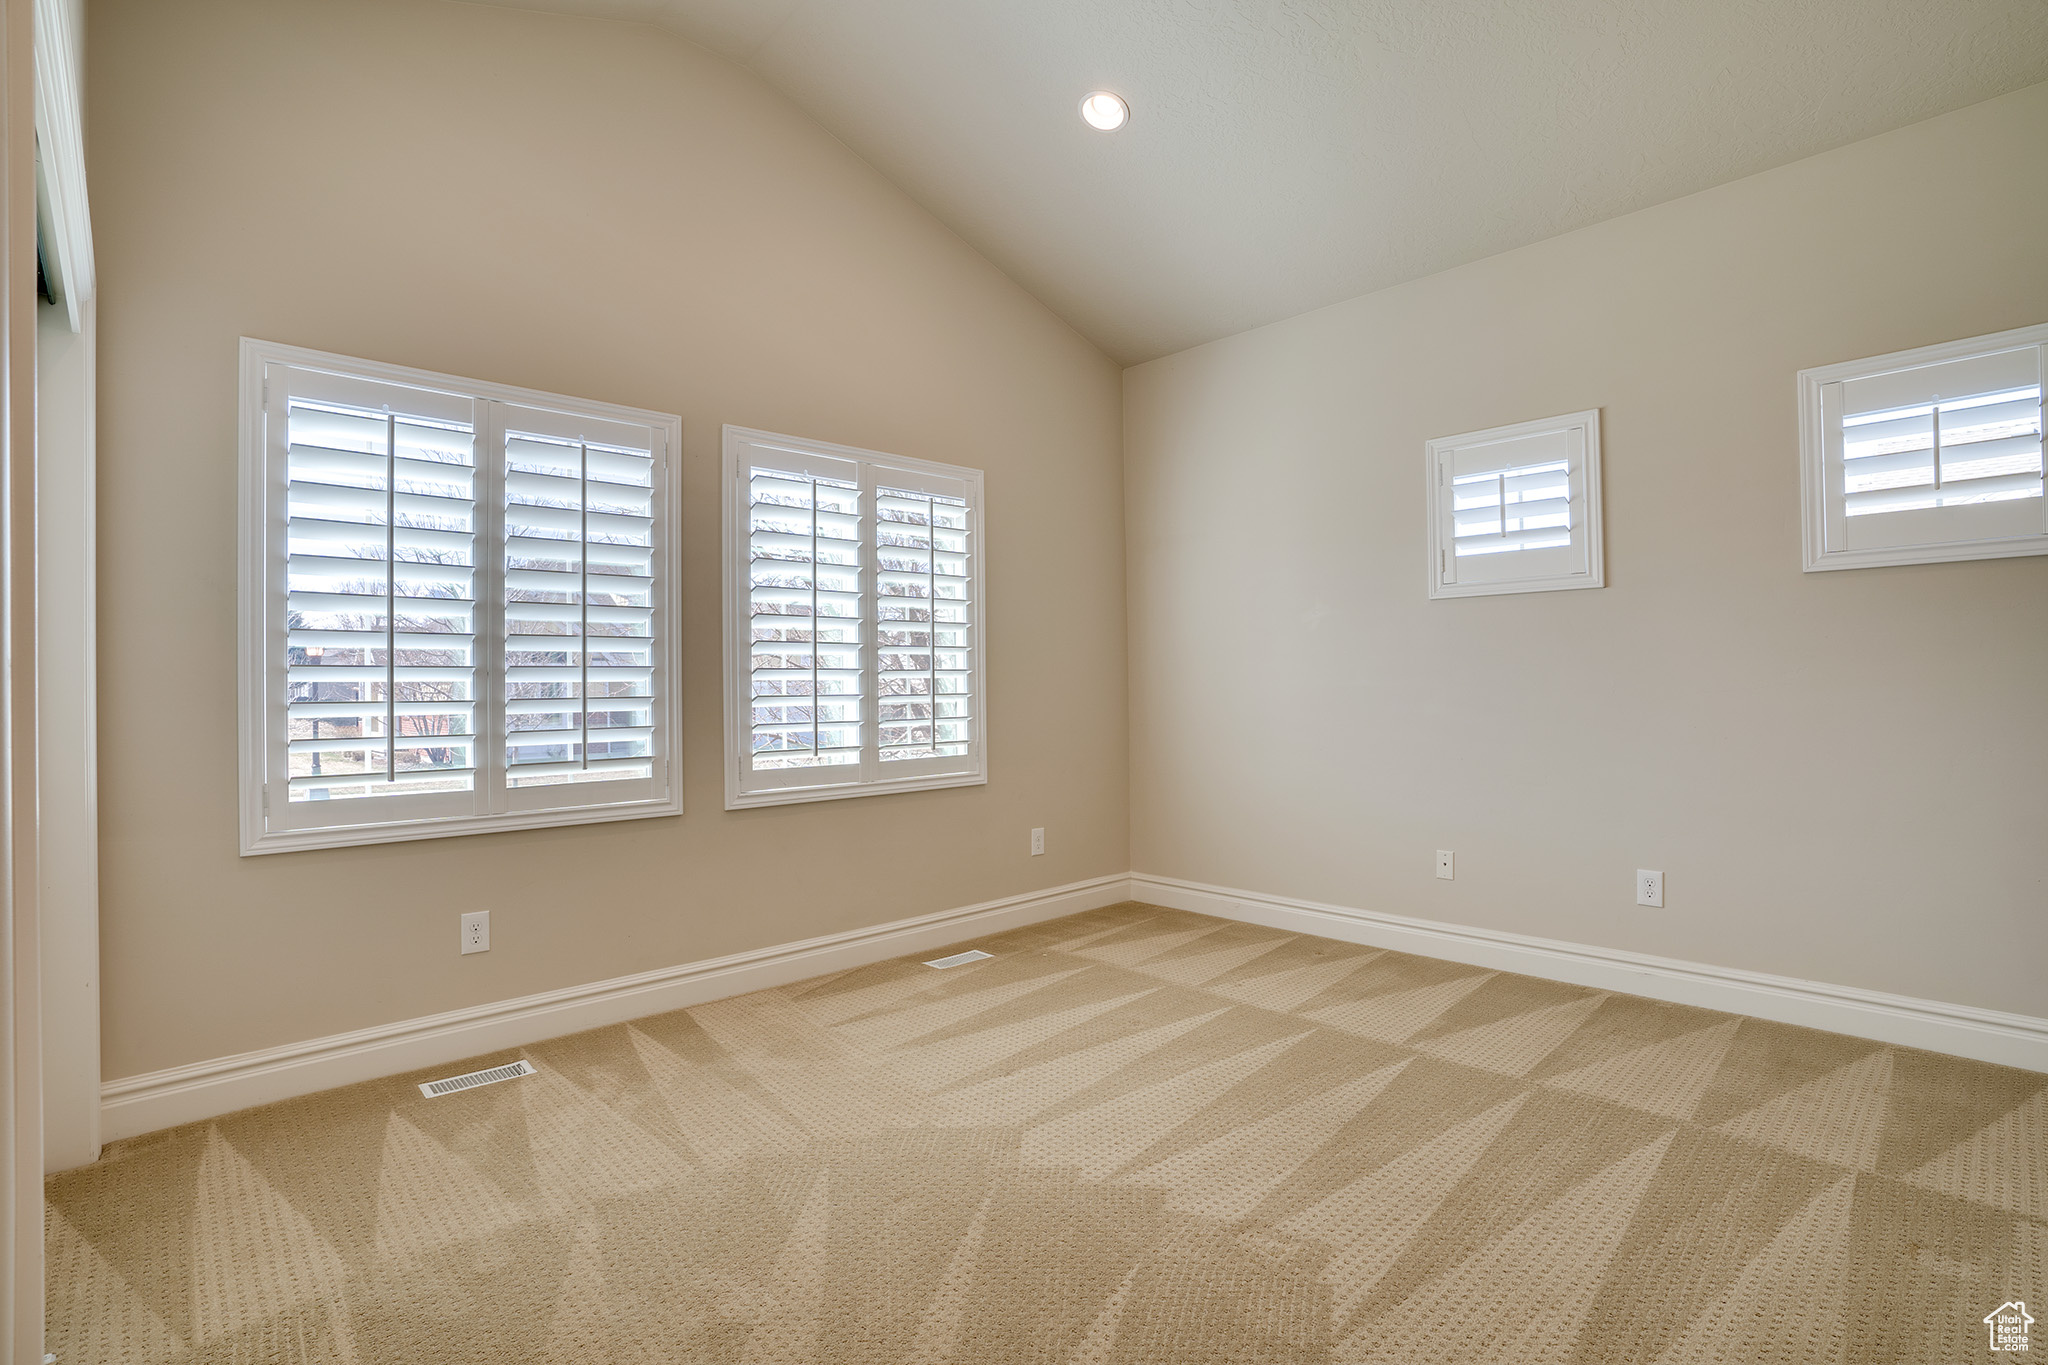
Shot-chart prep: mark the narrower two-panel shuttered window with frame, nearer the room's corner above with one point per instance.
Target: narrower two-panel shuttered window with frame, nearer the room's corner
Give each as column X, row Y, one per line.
column 853, row 597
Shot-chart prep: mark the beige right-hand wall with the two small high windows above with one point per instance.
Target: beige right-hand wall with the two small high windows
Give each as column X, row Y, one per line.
column 1842, row 775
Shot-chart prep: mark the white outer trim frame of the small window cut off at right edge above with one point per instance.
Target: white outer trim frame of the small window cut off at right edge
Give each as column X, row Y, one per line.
column 1814, row 461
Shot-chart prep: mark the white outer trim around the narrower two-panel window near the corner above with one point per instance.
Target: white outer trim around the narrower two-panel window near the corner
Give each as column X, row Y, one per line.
column 738, row 617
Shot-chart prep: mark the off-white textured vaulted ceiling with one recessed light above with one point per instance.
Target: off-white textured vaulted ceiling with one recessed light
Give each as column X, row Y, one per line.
column 1285, row 155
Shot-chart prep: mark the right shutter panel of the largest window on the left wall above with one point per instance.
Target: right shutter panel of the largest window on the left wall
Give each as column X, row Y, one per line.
column 583, row 687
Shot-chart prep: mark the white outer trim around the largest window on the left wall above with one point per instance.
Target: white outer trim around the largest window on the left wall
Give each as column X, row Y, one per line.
column 255, row 603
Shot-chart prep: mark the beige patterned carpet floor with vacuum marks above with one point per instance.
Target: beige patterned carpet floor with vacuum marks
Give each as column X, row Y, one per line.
column 1134, row 1137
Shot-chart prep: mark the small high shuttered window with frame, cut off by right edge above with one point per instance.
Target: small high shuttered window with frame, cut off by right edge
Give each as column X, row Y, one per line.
column 1926, row 455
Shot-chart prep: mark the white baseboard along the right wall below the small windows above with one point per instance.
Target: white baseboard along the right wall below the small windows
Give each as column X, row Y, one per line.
column 1957, row 1030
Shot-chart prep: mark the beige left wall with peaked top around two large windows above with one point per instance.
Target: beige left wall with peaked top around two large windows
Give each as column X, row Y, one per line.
column 593, row 210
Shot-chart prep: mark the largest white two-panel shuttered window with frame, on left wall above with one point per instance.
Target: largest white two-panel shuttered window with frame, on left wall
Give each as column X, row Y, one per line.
column 458, row 605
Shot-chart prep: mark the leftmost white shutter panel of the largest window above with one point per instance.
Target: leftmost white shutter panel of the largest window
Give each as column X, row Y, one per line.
column 374, row 646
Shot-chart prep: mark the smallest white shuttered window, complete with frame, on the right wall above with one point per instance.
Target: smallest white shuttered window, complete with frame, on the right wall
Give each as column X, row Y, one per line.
column 1517, row 509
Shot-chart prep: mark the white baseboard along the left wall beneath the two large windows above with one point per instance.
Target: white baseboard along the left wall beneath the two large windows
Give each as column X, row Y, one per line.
column 222, row 1086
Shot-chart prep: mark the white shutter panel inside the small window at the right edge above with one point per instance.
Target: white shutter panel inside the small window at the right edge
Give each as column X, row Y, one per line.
column 1936, row 453
